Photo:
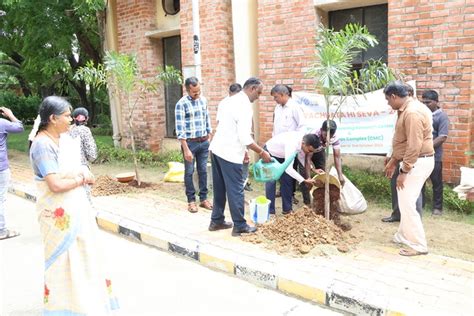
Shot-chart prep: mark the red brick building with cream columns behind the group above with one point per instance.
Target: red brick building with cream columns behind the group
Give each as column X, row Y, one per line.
column 430, row 41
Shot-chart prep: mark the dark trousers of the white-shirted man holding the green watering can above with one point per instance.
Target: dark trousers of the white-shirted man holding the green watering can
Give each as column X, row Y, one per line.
column 228, row 184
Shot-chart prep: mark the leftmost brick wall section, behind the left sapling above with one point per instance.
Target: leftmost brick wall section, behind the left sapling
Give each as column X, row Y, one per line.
column 134, row 18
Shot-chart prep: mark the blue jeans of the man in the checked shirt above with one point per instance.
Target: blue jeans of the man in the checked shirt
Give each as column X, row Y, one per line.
column 200, row 151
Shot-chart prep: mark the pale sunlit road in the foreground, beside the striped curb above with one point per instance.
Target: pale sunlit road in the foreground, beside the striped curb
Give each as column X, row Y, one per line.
column 147, row 281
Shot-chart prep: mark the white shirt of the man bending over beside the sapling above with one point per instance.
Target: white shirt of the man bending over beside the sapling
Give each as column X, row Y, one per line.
column 283, row 146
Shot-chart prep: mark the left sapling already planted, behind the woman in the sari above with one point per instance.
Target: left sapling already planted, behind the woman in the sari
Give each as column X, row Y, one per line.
column 121, row 72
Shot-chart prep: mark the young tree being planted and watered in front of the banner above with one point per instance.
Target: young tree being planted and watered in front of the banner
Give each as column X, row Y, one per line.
column 335, row 51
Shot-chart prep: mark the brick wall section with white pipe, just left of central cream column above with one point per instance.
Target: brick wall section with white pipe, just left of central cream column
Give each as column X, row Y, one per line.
column 217, row 49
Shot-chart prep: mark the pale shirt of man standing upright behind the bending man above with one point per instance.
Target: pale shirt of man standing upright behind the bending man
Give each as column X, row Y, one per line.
column 288, row 118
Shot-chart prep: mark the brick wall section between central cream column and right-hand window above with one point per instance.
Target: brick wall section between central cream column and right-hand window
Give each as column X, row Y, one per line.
column 286, row 40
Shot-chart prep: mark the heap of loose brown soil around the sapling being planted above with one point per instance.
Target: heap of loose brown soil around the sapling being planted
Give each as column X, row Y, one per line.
column 300, row 231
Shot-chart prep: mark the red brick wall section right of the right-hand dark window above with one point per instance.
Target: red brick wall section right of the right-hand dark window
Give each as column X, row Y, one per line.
column 432, row 42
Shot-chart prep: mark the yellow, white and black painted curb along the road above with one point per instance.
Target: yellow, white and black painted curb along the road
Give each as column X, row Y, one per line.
column 256, row 270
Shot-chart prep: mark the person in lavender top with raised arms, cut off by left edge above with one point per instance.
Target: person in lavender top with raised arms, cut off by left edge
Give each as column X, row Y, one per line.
column 12, row 125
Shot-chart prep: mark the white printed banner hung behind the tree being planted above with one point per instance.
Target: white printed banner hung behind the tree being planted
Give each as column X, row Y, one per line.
column 365, row 123
